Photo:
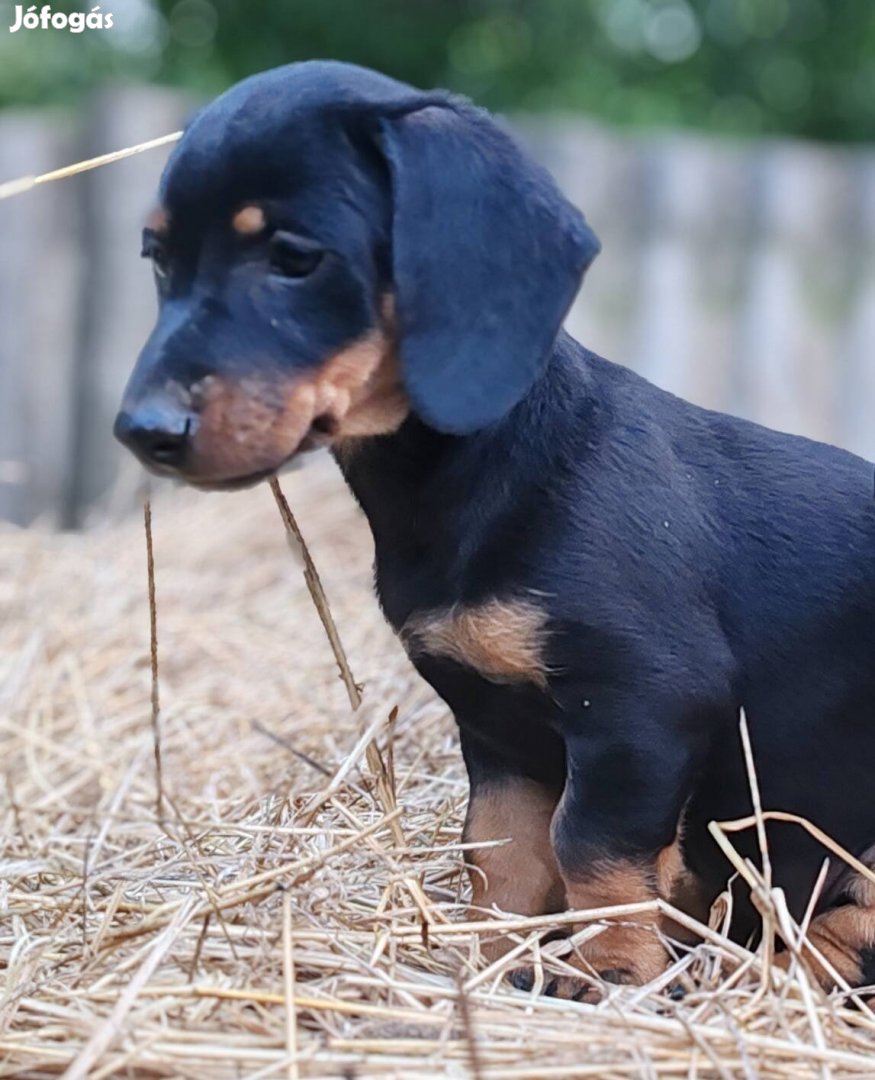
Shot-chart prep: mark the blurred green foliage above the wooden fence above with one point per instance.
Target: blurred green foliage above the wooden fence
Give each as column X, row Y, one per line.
column 804, row 67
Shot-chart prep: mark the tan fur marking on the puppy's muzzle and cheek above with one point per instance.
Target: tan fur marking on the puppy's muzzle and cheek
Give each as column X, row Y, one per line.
column 257, row 424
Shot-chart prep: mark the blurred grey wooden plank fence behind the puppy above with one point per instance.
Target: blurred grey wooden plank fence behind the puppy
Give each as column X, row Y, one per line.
column 742, row 277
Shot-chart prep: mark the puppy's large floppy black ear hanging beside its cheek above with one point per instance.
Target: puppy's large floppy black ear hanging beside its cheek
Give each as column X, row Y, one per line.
column 488, row 256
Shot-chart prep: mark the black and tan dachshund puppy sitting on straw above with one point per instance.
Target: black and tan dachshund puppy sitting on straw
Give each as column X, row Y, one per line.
column 595, row 575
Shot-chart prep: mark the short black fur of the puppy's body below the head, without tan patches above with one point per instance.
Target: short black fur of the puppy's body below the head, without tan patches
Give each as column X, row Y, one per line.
column 692, row 564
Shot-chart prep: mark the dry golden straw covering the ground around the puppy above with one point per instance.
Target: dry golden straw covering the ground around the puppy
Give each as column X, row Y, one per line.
column 298, row 908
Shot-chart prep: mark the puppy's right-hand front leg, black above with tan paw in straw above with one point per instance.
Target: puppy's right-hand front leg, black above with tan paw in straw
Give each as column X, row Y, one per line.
column 615, row 835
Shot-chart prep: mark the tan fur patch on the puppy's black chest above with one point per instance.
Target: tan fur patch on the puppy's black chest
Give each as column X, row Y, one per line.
column 504, row 641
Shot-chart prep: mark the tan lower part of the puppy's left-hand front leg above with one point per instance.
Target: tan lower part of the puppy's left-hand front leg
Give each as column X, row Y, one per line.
column 521, row 876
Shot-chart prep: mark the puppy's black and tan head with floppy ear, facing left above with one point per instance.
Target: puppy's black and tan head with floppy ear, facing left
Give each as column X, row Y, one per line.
column 334, row 250
